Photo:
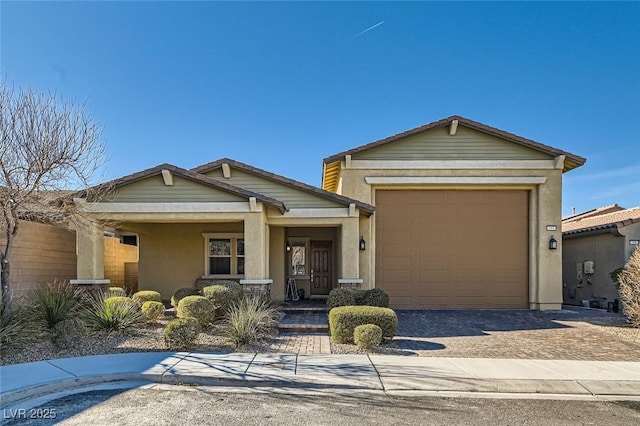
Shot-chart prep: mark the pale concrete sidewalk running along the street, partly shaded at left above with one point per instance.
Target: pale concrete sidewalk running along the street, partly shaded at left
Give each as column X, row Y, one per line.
column 620, row 380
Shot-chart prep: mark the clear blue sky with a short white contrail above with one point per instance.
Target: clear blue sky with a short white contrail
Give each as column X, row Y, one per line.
column 283, row 85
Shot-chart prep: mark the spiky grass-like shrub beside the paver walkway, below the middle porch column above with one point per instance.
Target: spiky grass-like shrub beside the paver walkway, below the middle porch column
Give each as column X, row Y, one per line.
column 250, row 320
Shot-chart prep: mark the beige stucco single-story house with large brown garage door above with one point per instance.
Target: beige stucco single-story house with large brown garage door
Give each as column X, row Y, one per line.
column 463, row 217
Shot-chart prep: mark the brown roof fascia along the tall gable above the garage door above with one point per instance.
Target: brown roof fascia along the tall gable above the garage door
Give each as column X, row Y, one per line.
column 577, row 160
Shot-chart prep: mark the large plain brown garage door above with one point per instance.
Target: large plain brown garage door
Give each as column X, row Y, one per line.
column 453, row 249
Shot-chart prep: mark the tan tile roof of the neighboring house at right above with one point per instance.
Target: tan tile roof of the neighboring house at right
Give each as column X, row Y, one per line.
column 612, row 216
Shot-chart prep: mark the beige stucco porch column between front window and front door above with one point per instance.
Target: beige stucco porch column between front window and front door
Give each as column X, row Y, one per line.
column 255, row 243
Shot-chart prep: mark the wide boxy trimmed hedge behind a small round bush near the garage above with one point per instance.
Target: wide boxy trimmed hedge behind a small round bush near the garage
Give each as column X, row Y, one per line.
column 344, row 319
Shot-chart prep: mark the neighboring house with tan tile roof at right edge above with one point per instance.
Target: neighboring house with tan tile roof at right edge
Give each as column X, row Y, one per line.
column 594, row 244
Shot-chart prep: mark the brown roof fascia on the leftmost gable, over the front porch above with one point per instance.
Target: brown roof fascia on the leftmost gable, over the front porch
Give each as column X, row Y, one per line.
column 187, row 174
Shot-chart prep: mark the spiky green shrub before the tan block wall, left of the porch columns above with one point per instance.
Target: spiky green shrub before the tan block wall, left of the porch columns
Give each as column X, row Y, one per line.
column 56, row 302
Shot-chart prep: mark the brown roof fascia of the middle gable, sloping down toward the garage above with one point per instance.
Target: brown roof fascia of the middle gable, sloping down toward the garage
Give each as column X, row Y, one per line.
column 367, row 208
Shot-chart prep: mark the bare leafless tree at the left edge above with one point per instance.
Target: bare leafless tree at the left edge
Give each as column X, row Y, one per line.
column 48, row 148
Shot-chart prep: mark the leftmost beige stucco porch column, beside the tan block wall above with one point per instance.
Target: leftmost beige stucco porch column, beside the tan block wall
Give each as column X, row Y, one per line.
column 90, row 251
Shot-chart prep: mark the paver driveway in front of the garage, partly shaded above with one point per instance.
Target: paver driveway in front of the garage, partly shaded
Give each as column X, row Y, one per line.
column 571, row 334
